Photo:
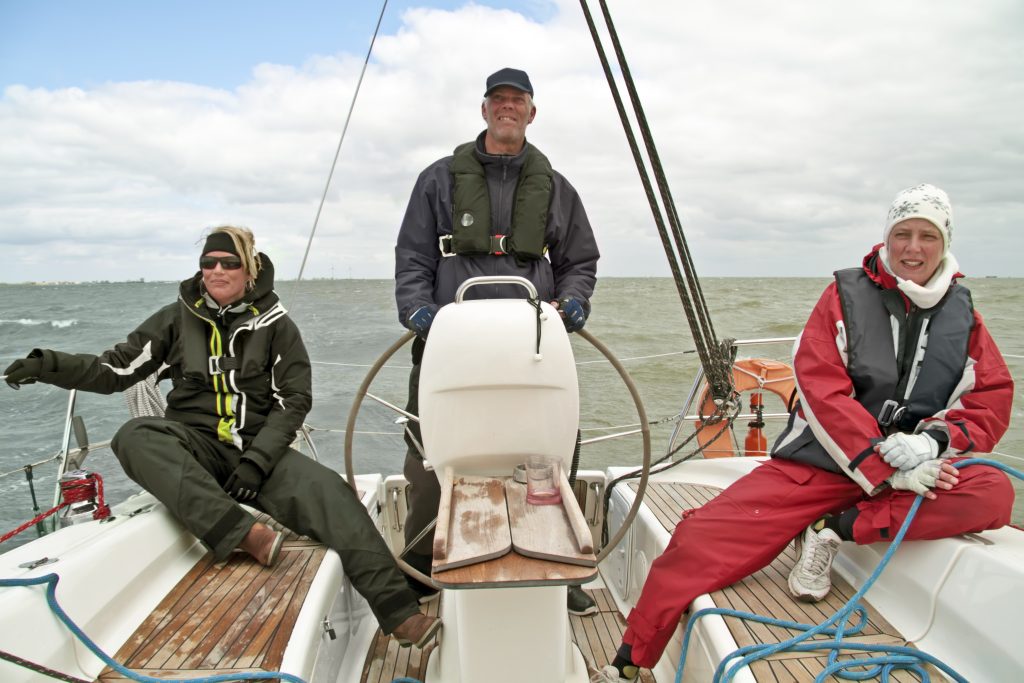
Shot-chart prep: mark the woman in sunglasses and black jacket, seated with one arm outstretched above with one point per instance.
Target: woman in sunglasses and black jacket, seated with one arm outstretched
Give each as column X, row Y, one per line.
column 241, row 387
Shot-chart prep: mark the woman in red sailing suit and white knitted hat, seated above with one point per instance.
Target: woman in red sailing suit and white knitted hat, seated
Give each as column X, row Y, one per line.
column 898, row 378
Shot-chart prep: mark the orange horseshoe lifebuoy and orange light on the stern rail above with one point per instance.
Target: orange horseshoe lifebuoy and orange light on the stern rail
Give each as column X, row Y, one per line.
column 749, row 375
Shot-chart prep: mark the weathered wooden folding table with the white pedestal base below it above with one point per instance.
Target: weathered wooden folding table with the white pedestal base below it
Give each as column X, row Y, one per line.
column 505, row 562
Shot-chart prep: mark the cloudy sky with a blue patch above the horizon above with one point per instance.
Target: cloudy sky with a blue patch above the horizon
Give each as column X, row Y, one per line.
column 129, row 129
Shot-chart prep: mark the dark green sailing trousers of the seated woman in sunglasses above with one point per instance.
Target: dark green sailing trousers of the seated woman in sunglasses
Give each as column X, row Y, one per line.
column 185, row 471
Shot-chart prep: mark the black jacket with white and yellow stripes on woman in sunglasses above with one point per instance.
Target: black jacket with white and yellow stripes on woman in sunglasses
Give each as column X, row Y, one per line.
column 259, row 405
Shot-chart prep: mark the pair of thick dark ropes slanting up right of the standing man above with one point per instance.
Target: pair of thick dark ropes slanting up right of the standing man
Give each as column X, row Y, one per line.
column 716, row 359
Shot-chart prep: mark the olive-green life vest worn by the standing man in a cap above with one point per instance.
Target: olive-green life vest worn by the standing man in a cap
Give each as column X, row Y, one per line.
column 472, row 207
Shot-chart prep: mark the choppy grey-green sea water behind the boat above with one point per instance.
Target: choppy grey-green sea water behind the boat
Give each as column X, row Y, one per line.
column 348, row 324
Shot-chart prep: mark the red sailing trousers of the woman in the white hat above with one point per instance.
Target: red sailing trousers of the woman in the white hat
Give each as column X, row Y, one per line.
column 751, row 523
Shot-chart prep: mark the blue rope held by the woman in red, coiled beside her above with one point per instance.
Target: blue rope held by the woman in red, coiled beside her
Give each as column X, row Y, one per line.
column 893, row 657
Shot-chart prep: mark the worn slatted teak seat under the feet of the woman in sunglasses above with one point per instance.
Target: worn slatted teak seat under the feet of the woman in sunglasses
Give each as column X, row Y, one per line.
column 224, row 618
